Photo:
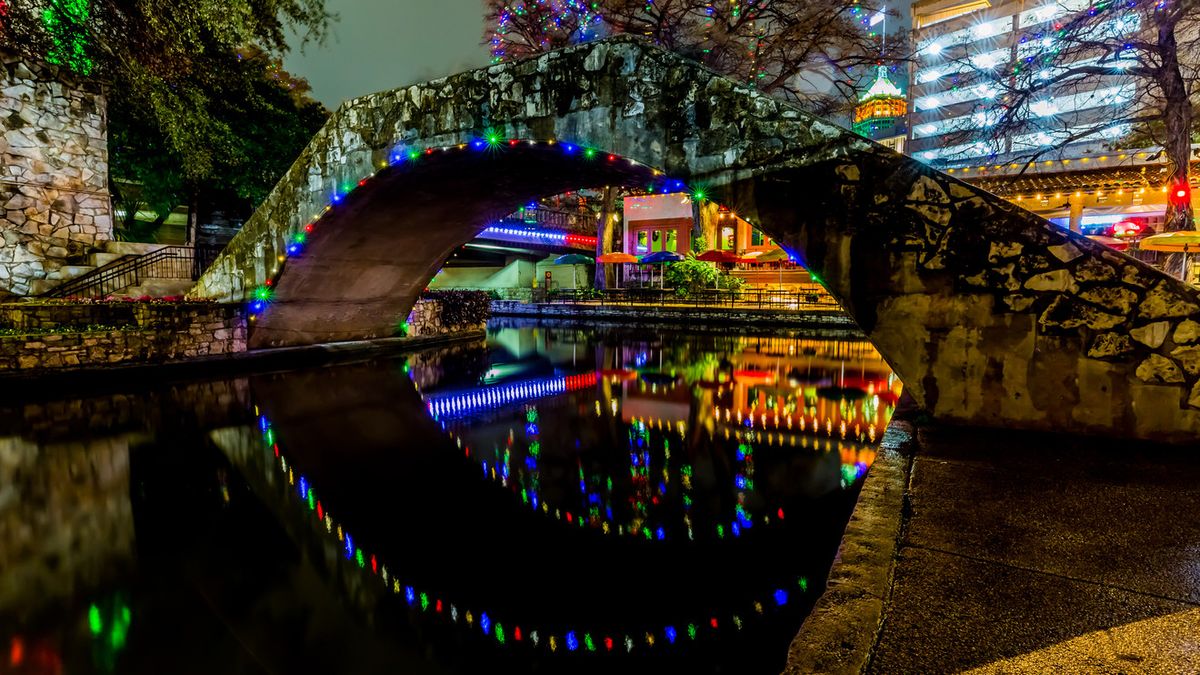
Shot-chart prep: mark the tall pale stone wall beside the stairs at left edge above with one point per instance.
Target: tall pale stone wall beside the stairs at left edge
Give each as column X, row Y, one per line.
column 55, row 201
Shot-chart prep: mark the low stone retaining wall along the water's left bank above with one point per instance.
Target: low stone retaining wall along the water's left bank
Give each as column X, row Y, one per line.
column 55, row 336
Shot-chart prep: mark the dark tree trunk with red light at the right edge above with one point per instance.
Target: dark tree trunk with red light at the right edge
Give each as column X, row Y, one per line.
column 1178, row 123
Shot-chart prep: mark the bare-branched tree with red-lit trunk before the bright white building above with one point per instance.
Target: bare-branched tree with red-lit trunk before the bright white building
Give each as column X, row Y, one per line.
column 1115, row 71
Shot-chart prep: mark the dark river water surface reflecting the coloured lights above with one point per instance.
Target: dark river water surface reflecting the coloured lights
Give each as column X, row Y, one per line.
column 556, row 501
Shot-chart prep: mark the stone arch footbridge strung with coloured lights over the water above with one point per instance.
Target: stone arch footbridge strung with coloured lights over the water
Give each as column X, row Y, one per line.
column 988, row 314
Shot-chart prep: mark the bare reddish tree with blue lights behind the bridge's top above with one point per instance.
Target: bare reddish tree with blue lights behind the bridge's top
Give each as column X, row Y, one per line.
column 811, row 52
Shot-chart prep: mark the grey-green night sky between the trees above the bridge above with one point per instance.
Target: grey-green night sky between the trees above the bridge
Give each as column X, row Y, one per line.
column 387, row 44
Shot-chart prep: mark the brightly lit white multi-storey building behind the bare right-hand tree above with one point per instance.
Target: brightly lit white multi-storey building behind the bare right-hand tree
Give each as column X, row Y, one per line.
column 968, row 51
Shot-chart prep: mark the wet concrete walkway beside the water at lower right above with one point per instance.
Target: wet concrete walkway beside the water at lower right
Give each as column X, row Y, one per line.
column 1015, row 553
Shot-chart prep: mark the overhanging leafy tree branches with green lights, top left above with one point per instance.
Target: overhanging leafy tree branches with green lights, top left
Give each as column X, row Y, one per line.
column 159, row 53
